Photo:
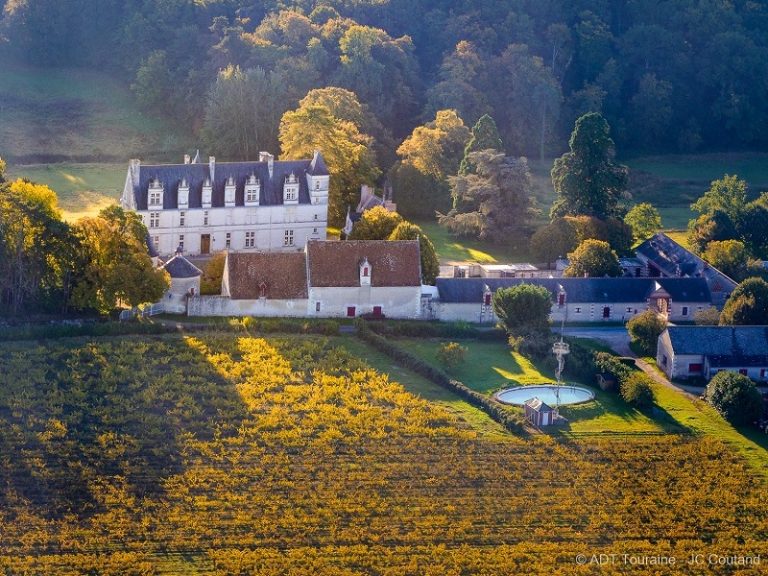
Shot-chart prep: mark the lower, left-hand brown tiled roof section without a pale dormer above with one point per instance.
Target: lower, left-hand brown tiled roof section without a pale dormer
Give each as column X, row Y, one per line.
column 283, row 275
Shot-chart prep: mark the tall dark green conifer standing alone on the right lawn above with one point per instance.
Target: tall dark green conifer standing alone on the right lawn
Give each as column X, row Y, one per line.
column 586, row 179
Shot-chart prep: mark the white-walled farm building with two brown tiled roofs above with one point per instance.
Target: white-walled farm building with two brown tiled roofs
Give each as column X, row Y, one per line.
column 329, row 279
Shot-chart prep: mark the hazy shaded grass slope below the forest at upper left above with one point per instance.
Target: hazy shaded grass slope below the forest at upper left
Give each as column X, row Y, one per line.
column 74, row 115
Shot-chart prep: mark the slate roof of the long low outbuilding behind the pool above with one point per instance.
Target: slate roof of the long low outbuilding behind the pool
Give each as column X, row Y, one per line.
column 579, row 290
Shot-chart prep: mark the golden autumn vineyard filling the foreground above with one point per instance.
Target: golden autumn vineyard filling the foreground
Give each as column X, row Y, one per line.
column 219, row 454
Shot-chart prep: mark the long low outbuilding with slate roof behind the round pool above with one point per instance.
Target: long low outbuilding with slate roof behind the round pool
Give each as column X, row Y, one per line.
column 578, row 299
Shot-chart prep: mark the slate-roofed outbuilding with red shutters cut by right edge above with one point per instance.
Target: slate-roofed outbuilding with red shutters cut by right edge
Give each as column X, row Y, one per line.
column 702, row 351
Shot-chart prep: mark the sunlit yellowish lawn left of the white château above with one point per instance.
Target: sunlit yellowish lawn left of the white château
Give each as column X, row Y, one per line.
column 83, row 189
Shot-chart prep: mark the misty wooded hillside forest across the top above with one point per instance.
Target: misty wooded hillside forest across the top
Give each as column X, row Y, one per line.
column 680, row 76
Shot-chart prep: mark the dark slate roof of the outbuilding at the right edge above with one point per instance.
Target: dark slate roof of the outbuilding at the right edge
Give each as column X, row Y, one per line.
column 720, row 341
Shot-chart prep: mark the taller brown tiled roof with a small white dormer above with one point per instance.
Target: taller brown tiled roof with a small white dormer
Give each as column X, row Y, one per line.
column 337, row 263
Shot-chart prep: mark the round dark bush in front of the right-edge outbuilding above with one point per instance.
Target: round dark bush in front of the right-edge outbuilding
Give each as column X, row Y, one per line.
column 736, row 397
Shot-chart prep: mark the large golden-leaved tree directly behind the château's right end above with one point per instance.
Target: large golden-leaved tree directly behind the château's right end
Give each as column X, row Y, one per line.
column 346, row 150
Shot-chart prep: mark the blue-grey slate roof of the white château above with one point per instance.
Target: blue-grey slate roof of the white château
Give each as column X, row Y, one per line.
column 170, row 176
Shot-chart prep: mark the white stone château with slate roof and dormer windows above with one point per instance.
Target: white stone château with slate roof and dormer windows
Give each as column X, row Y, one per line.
column 202, row 208
